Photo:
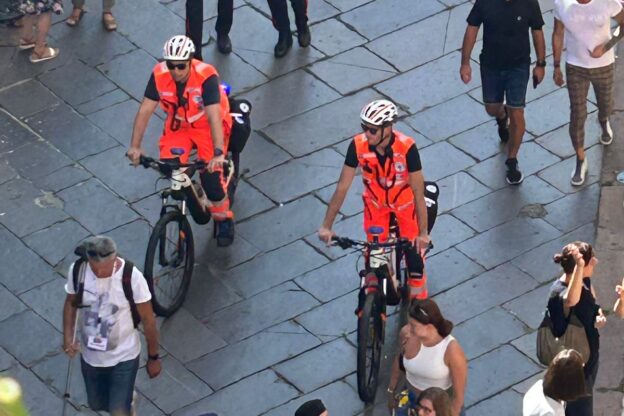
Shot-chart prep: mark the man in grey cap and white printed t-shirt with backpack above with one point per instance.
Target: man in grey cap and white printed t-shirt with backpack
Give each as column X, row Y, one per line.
column 113, row 297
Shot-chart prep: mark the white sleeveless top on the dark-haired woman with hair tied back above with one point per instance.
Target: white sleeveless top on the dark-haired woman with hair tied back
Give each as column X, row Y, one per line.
column 427, row 368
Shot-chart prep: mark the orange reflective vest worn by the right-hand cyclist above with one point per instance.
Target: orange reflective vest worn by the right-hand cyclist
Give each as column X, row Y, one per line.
column 386, row 186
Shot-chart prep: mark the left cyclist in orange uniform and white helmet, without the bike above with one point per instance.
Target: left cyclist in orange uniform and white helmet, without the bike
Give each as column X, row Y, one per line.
column 198, row 114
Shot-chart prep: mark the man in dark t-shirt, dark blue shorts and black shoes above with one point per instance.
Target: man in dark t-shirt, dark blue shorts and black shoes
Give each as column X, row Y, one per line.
column 505, row 62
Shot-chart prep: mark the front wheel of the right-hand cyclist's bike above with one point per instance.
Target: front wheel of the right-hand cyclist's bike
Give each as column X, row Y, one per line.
column 370, row 328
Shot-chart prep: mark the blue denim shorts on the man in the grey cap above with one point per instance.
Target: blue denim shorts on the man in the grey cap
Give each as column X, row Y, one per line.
column 110, row 388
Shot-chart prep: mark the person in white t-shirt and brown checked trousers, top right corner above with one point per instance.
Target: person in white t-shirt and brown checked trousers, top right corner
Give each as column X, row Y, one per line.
column 586, row 27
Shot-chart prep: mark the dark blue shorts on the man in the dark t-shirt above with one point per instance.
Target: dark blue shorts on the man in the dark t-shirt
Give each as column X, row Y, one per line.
column 505, row 85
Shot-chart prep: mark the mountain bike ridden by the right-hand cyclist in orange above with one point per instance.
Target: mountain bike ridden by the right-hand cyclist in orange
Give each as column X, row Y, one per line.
column 383, row 281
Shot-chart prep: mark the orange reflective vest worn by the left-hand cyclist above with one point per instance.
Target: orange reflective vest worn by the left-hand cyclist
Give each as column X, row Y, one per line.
column 192, row 113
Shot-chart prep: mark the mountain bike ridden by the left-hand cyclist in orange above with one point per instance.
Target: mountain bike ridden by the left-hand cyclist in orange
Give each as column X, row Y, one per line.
column 170, row 255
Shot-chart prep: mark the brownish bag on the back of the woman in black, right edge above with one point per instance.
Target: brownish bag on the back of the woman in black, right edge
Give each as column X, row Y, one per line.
column 573, row 338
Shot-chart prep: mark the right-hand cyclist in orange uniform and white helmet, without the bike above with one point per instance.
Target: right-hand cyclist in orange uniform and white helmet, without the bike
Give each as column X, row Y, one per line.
column 393, row 184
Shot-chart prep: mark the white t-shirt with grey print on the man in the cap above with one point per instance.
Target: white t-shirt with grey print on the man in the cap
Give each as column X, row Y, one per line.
column 108, row 336
